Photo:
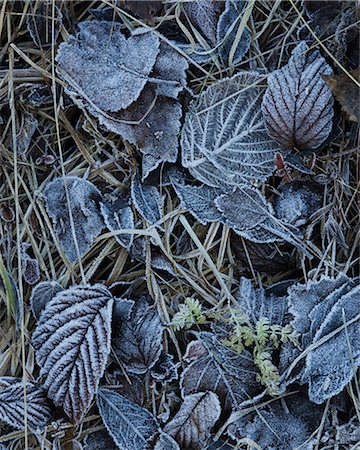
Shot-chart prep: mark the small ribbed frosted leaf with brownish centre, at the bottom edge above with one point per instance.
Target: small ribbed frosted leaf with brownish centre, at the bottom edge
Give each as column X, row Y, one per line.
column 192, row 424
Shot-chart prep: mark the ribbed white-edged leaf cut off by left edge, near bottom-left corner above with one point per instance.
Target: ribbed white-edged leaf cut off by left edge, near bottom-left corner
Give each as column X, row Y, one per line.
column 12, row 406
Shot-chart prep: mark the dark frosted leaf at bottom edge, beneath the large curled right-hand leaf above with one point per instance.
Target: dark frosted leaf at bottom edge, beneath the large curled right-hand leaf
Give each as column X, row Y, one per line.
column 285, row 426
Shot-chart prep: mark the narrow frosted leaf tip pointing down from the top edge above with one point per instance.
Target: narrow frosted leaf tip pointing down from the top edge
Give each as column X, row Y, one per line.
column 204, row 14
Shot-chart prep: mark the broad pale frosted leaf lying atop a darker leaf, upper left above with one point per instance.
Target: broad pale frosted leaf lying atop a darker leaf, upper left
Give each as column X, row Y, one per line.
column 105, row 67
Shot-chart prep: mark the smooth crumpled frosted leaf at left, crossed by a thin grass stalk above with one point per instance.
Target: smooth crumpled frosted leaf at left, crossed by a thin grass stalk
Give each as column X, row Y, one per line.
column 84, row 200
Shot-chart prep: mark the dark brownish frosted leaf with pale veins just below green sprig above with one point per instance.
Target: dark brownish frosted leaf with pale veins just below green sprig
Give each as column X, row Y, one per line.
column 207, row 371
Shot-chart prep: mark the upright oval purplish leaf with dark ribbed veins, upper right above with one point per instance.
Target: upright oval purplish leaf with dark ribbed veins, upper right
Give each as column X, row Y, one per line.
column 298, row 105
